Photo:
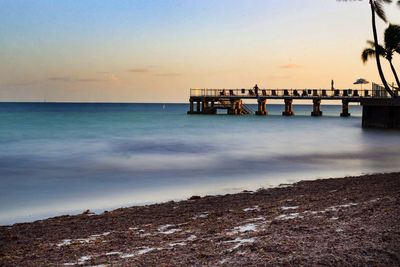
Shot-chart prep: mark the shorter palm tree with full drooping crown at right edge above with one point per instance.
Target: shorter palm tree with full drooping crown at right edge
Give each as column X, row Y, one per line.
column 392, row 45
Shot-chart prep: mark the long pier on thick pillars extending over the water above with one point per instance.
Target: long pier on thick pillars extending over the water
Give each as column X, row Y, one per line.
column 208, row 101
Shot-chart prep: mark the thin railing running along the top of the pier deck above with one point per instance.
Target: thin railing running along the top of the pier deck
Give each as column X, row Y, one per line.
column 290, row 93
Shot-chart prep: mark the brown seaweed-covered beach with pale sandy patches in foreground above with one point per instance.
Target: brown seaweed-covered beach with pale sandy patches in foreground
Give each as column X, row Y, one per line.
column 337, row 221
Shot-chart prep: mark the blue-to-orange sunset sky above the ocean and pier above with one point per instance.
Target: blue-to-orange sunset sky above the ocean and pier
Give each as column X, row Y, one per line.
column 156, row 50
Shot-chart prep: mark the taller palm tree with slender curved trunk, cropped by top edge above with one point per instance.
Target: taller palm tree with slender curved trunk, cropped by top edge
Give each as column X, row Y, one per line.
column 376, row 8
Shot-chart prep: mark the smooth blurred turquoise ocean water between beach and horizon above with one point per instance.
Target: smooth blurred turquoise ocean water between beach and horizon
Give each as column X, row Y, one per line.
column 66, row 158
